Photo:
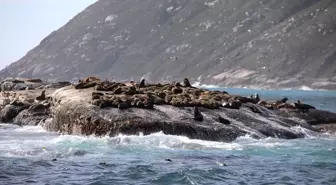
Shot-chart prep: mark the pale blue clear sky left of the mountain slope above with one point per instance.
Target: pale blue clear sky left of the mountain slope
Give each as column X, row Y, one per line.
column 24, row 23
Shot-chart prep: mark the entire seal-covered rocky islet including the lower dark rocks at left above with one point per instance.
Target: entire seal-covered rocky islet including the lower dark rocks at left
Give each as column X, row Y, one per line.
column 96, row 107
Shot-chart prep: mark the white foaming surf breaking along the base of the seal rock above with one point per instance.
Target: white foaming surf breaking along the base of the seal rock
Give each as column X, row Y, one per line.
column 32, row 142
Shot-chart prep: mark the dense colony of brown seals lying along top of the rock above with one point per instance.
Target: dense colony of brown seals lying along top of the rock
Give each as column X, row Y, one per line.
column 146, row 96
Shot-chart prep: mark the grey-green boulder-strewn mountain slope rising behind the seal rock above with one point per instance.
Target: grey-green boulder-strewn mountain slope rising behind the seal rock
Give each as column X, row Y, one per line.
column 255, row 43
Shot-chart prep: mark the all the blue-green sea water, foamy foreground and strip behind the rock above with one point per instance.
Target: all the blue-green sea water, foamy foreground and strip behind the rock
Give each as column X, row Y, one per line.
column 27, row 153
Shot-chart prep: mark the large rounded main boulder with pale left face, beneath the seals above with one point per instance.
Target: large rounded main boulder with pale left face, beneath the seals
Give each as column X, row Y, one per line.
column 74, row 113
